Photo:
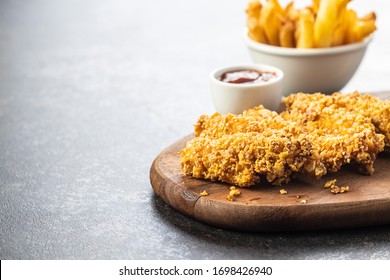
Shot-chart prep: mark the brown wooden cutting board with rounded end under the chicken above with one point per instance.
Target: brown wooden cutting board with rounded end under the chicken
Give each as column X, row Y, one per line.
column 263, row 208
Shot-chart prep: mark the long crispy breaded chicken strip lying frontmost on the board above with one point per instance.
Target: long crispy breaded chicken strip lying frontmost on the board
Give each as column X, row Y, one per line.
column 241, row 158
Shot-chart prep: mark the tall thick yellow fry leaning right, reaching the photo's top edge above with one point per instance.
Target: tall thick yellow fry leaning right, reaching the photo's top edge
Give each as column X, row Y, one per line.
column 326, row 21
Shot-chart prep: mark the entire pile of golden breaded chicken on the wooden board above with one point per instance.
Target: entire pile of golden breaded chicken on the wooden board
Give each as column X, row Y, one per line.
column 315, row 135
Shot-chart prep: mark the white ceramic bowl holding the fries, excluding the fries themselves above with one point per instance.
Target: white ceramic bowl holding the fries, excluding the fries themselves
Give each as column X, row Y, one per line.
column 325, row 70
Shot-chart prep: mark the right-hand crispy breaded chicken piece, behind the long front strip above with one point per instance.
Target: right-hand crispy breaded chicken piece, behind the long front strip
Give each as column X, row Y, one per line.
column 339, row 127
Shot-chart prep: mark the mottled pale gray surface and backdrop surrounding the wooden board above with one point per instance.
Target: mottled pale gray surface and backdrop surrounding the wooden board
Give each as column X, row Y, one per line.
column 91, row 92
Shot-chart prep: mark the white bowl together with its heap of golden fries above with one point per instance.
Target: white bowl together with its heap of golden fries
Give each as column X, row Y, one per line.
column 318, row 47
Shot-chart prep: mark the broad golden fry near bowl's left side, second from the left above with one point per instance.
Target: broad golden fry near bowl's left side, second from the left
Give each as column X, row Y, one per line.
column 269, row 21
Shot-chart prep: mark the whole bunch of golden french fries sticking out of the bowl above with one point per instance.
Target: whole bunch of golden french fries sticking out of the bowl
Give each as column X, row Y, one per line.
column 326, row 23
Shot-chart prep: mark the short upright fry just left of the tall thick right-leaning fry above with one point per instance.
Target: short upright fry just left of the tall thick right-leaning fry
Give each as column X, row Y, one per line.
column 305, row 29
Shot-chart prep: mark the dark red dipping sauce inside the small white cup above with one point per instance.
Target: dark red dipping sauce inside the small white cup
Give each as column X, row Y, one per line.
column 247, row 76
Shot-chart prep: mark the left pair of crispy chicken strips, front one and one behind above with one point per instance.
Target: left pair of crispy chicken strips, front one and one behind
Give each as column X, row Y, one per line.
column 238, row 149
